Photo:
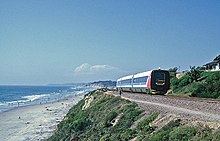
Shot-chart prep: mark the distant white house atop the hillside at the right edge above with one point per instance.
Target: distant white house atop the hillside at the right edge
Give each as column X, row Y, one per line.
column 214, row 65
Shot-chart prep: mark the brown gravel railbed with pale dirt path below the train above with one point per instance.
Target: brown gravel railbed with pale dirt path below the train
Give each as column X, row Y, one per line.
column 192, row 108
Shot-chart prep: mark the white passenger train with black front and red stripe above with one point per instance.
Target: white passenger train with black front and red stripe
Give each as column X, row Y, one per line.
column 154, row 81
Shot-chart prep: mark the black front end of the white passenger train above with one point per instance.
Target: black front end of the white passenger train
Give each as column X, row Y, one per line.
column 160, row 81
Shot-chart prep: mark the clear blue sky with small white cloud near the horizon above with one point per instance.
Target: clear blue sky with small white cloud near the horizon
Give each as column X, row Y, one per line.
column 71, row 41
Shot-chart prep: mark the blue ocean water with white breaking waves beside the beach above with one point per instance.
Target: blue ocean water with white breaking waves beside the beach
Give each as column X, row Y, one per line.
column 16, row 96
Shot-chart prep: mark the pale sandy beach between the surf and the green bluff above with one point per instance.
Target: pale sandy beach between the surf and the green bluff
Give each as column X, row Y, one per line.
column 36, row 122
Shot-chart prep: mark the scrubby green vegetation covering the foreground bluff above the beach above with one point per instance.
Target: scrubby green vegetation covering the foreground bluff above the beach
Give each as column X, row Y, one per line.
column 109, row 118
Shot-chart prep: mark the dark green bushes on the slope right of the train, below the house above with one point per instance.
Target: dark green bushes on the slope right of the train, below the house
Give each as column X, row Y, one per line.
column 198, row 84
